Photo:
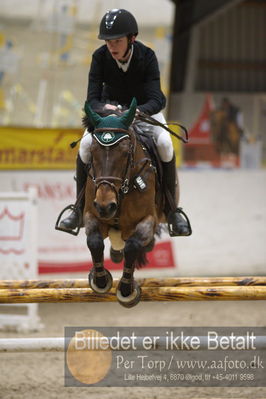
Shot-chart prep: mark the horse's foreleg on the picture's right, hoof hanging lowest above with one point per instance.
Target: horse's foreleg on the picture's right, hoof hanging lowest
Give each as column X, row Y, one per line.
column 128, row 292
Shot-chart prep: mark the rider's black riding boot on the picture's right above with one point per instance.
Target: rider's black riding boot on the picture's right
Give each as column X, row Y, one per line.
column 178, row 222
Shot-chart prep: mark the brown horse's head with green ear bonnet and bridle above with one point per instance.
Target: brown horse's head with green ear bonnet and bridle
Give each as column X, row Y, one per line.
column 112, row 152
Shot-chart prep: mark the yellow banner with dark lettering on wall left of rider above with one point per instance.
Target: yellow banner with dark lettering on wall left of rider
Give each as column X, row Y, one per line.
column 30, row 148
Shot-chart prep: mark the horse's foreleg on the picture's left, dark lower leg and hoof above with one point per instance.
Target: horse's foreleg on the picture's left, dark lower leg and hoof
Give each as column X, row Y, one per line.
column 100, row 279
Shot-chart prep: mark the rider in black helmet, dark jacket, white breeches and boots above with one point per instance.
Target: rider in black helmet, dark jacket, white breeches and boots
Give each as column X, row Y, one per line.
column 121, row 69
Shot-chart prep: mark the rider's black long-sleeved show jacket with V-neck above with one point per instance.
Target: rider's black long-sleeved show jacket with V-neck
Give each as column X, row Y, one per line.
column 109, row 83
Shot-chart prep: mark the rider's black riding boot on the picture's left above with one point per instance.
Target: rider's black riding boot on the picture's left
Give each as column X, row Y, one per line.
column 73, row 220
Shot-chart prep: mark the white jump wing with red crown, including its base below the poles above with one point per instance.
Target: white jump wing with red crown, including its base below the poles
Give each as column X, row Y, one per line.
column 18, row 254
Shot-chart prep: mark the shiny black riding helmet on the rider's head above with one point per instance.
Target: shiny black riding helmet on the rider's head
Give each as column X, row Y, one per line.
column 117, row 23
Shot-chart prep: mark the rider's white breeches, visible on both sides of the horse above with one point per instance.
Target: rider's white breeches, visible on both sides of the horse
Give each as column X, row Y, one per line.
column 162, row 140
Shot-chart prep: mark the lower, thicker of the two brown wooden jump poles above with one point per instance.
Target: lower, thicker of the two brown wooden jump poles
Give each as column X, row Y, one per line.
column 55, row 295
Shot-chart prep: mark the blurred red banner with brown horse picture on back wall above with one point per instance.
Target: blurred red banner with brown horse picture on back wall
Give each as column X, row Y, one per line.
column 216, row 136
